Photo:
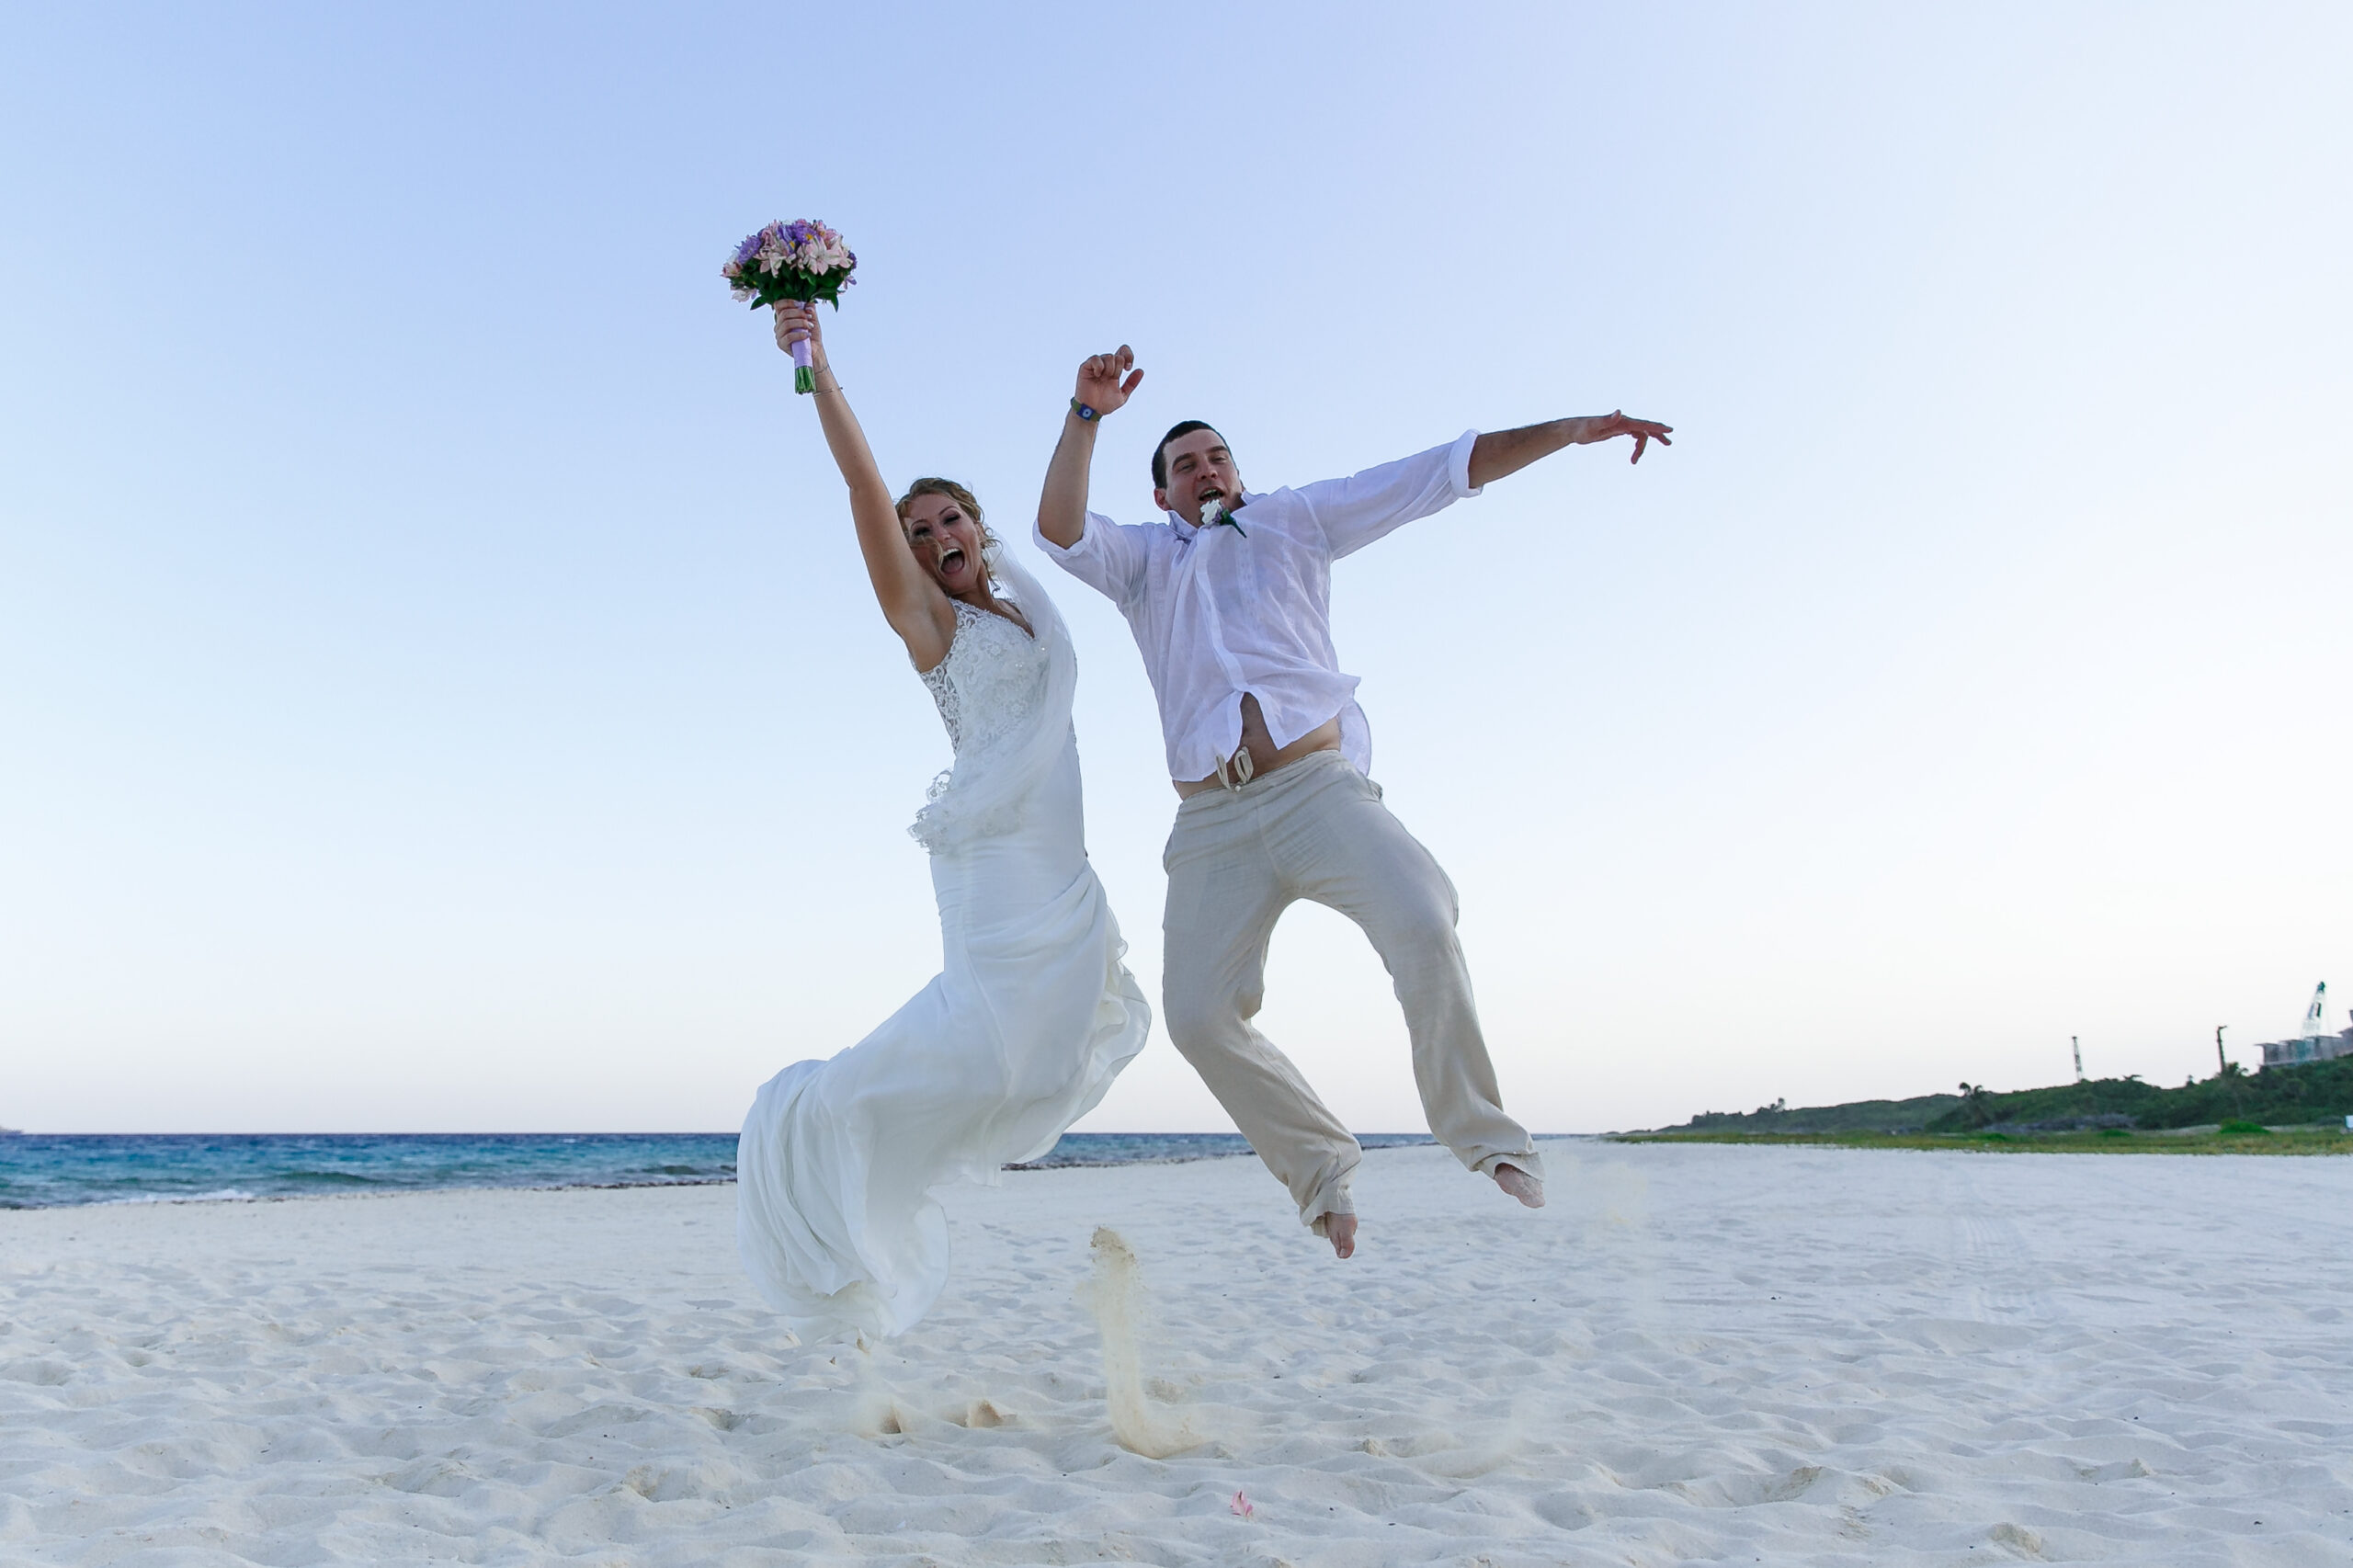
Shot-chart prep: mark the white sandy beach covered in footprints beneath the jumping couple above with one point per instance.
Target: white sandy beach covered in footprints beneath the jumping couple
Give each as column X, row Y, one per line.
column 1695, row 1355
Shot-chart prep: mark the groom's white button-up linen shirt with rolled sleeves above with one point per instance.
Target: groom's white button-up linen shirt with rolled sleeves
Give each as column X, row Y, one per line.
column 1220, row 611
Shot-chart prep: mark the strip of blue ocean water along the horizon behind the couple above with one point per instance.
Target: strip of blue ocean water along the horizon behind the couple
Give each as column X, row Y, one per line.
column 51, row 1171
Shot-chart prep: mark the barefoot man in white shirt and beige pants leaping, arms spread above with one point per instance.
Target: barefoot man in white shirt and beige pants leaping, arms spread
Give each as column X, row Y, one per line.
column 1229, row 599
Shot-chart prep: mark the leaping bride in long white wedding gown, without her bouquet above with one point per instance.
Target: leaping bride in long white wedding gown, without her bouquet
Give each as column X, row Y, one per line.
column 1032, row 1014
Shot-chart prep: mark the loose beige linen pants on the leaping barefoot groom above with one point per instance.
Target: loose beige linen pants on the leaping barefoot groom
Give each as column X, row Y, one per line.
column 1237, row 861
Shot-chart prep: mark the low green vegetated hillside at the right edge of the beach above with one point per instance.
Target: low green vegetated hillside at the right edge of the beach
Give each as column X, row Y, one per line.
column 2112, row 1115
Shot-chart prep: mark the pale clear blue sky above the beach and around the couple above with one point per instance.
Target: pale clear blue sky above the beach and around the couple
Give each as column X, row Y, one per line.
column 439, row 686
